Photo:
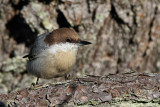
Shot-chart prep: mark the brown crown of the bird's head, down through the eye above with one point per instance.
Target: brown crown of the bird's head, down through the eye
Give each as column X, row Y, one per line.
column 62, row 35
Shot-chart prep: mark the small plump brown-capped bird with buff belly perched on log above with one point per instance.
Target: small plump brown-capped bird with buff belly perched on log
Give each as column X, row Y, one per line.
column 53, row 54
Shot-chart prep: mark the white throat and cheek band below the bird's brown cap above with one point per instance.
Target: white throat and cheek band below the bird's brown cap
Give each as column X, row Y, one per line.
column 63, row 47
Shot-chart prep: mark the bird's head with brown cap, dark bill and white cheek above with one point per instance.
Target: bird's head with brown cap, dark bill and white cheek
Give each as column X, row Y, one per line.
column 64, row 39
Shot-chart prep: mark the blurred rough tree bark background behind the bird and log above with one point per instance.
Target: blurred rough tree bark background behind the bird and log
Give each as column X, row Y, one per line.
column 125, row 36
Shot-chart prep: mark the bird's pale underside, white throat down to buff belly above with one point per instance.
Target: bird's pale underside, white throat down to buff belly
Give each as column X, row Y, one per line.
column 56, row 60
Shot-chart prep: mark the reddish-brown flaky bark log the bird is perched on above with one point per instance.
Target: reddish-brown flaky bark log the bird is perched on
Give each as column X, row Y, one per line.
column 138, row 89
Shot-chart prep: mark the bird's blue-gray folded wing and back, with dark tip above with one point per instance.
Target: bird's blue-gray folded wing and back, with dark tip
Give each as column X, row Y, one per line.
column 38, row 46
